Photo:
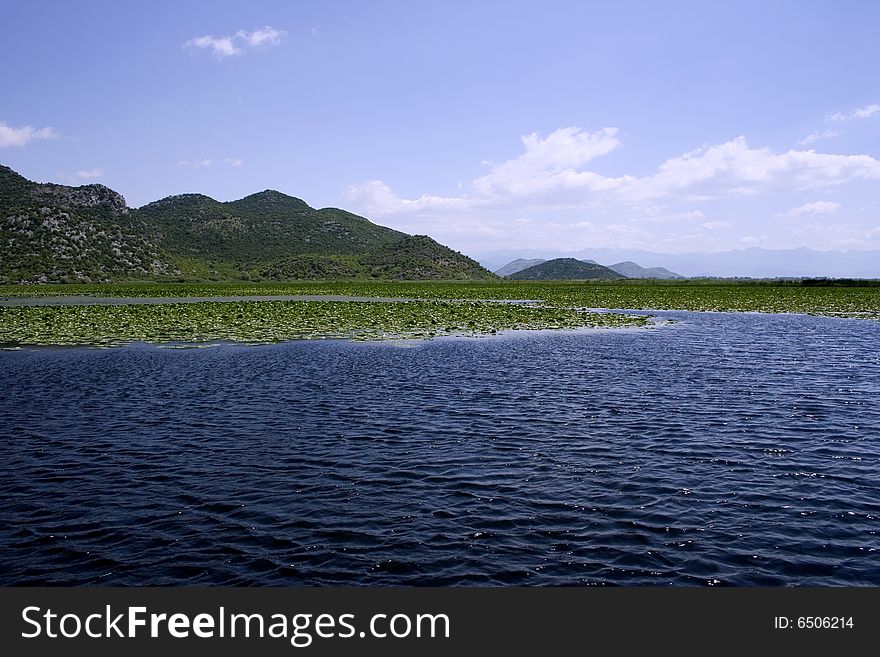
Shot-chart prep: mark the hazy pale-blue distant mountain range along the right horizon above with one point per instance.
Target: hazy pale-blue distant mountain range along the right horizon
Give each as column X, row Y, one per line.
column 752, row 262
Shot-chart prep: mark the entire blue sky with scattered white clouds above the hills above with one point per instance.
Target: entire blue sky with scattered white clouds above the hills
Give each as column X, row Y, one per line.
column 667, row 126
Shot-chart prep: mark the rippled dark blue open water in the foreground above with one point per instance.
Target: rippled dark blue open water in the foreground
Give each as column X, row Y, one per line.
column 726, row 449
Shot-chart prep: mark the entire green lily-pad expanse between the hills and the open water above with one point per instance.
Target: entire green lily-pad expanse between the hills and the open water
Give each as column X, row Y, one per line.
column 431, row 308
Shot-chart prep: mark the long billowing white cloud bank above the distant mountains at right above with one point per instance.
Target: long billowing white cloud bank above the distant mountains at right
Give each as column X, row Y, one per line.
column 547, row 175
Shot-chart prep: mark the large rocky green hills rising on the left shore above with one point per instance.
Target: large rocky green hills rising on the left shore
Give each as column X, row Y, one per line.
column 55, row 233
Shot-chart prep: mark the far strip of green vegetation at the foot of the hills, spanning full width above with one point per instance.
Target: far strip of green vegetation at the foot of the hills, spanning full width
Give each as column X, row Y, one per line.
column 773, row 297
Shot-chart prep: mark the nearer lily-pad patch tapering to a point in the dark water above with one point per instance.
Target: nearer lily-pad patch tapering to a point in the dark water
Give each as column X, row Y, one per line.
column 275, row 321
